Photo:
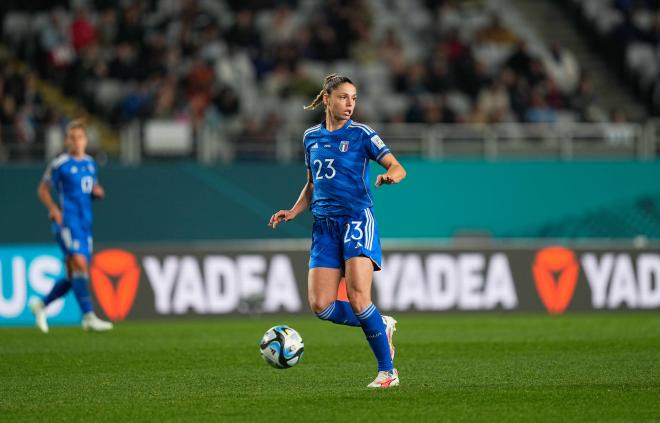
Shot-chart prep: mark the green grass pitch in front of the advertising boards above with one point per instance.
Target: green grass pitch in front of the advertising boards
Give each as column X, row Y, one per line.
column 478, row 367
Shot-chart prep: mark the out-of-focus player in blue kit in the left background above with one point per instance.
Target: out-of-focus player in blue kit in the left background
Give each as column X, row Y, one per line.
column 73, row 176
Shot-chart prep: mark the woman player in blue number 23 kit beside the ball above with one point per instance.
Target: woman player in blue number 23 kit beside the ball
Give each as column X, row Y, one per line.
column 345, row 238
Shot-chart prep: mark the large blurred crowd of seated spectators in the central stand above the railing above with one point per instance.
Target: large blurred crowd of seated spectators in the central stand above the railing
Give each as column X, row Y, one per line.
column 252, row 65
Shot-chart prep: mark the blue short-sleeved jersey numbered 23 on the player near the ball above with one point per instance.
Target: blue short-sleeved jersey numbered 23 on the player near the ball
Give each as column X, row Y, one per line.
column 339, row 163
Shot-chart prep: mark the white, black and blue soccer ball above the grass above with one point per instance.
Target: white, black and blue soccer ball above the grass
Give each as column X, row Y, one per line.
column 282, row 347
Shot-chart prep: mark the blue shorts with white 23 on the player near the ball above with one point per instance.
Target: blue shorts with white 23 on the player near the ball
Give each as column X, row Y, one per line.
column 337, row 239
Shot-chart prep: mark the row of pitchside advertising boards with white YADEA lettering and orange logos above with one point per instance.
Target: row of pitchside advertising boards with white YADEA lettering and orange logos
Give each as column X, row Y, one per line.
column 194, row 280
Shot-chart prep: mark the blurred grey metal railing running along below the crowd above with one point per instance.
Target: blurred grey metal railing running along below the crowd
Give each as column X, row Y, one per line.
column 566, row 141
